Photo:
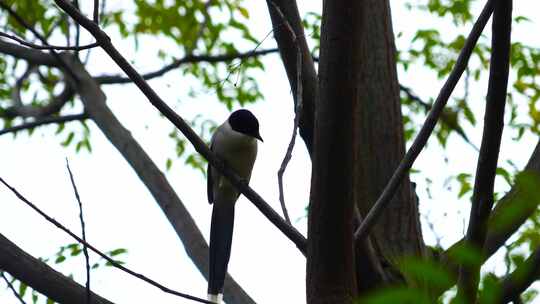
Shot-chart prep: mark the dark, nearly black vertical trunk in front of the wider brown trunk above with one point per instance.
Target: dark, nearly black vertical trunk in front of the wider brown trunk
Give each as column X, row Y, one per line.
column 330, row 267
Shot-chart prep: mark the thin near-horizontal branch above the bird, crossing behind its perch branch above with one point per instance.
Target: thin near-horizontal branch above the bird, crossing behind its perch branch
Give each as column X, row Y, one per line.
column 115, row 79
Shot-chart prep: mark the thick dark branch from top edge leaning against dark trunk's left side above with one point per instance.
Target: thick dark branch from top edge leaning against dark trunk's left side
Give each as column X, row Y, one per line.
column 288, row 48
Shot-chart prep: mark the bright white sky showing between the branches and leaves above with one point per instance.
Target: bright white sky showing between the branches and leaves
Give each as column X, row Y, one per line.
column 119, row 211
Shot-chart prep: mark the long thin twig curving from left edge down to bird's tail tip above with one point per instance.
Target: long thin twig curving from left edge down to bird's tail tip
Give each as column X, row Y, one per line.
column 98, row 252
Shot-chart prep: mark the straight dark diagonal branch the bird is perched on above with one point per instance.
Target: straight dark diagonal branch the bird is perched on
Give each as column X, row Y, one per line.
column 293, row 234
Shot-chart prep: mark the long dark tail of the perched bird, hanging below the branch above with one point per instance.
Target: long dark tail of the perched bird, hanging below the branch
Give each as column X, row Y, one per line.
column 221, row 231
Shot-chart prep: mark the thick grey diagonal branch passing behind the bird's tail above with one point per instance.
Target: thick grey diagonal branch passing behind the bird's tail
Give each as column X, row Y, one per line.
column 93, row 100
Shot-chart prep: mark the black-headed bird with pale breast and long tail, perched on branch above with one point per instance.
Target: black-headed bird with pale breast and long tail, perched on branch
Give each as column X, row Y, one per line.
column 235, row 143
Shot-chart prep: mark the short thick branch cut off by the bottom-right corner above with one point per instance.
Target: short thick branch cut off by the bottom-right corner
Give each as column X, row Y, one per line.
column 525, row 274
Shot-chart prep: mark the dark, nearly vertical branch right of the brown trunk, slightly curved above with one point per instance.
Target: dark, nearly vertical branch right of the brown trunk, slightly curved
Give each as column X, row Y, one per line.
column 482, row 199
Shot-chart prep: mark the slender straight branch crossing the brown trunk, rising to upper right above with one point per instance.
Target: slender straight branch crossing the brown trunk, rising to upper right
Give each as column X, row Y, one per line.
column 430, row 122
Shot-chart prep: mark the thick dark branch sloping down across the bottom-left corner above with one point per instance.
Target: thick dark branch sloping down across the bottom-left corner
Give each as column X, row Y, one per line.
column 42, row 277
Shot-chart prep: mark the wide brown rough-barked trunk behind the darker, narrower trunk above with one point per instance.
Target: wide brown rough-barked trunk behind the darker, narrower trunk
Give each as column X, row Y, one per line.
column 379, row 137
